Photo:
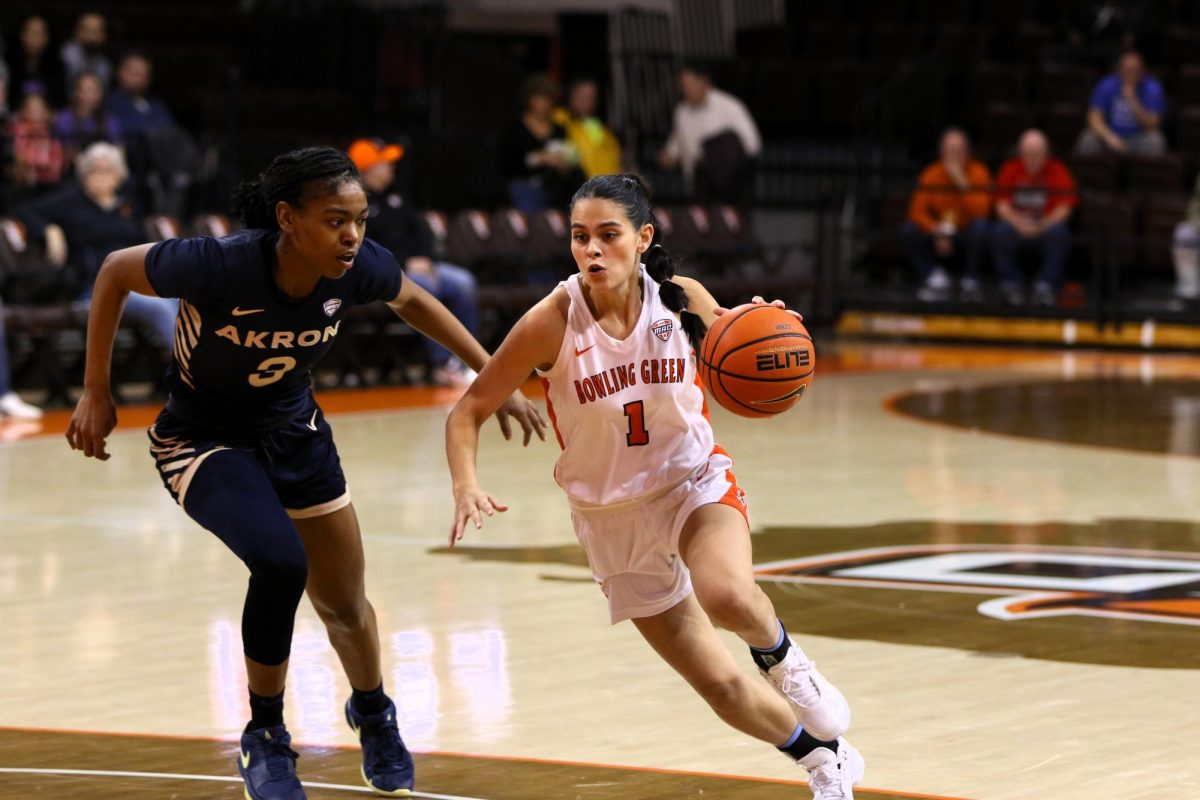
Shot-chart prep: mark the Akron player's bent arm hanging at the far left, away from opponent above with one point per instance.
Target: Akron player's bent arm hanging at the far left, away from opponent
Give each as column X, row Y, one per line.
column 95, row 416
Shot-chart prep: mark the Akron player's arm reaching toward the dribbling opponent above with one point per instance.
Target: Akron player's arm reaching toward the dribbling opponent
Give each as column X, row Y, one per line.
column 427, row 314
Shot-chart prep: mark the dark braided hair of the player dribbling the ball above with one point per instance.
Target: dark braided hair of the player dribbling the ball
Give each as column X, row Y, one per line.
column 629, row 191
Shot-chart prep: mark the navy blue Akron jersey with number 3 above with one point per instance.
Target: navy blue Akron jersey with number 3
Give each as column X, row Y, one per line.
column 244, row 350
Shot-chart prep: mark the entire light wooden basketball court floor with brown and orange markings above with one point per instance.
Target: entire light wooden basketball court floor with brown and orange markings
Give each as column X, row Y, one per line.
column 994, row 554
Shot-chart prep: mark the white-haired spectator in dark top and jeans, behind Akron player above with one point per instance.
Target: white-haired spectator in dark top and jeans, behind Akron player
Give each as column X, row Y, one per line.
column 89, row 219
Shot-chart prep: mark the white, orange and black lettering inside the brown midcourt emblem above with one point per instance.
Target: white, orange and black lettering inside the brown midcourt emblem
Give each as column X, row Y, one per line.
column 1034, row 582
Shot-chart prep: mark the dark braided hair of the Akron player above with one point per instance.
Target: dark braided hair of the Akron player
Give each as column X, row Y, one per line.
column 293, row 178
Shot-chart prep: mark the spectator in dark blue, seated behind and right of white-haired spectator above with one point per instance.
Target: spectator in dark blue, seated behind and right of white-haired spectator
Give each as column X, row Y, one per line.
column 163, row 155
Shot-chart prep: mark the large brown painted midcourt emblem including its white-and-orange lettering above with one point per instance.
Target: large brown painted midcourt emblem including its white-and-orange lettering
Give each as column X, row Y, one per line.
column 1112, row 592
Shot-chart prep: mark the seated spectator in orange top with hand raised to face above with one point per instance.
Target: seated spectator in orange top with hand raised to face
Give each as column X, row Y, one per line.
column 949, row 213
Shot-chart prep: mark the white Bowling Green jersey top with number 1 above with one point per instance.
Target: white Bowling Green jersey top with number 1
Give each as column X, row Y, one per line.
column 631, row 416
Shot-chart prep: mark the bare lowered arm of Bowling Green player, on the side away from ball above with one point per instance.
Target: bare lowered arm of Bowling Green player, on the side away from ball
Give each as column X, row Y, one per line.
column 533, row 342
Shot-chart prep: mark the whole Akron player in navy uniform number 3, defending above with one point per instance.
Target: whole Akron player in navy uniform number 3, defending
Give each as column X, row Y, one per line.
column 243, row 446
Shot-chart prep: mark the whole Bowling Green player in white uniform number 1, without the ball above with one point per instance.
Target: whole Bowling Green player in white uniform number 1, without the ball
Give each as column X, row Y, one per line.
column 652, row 497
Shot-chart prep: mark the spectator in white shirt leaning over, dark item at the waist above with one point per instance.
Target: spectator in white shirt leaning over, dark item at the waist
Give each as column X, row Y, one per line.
column 713, row 140
